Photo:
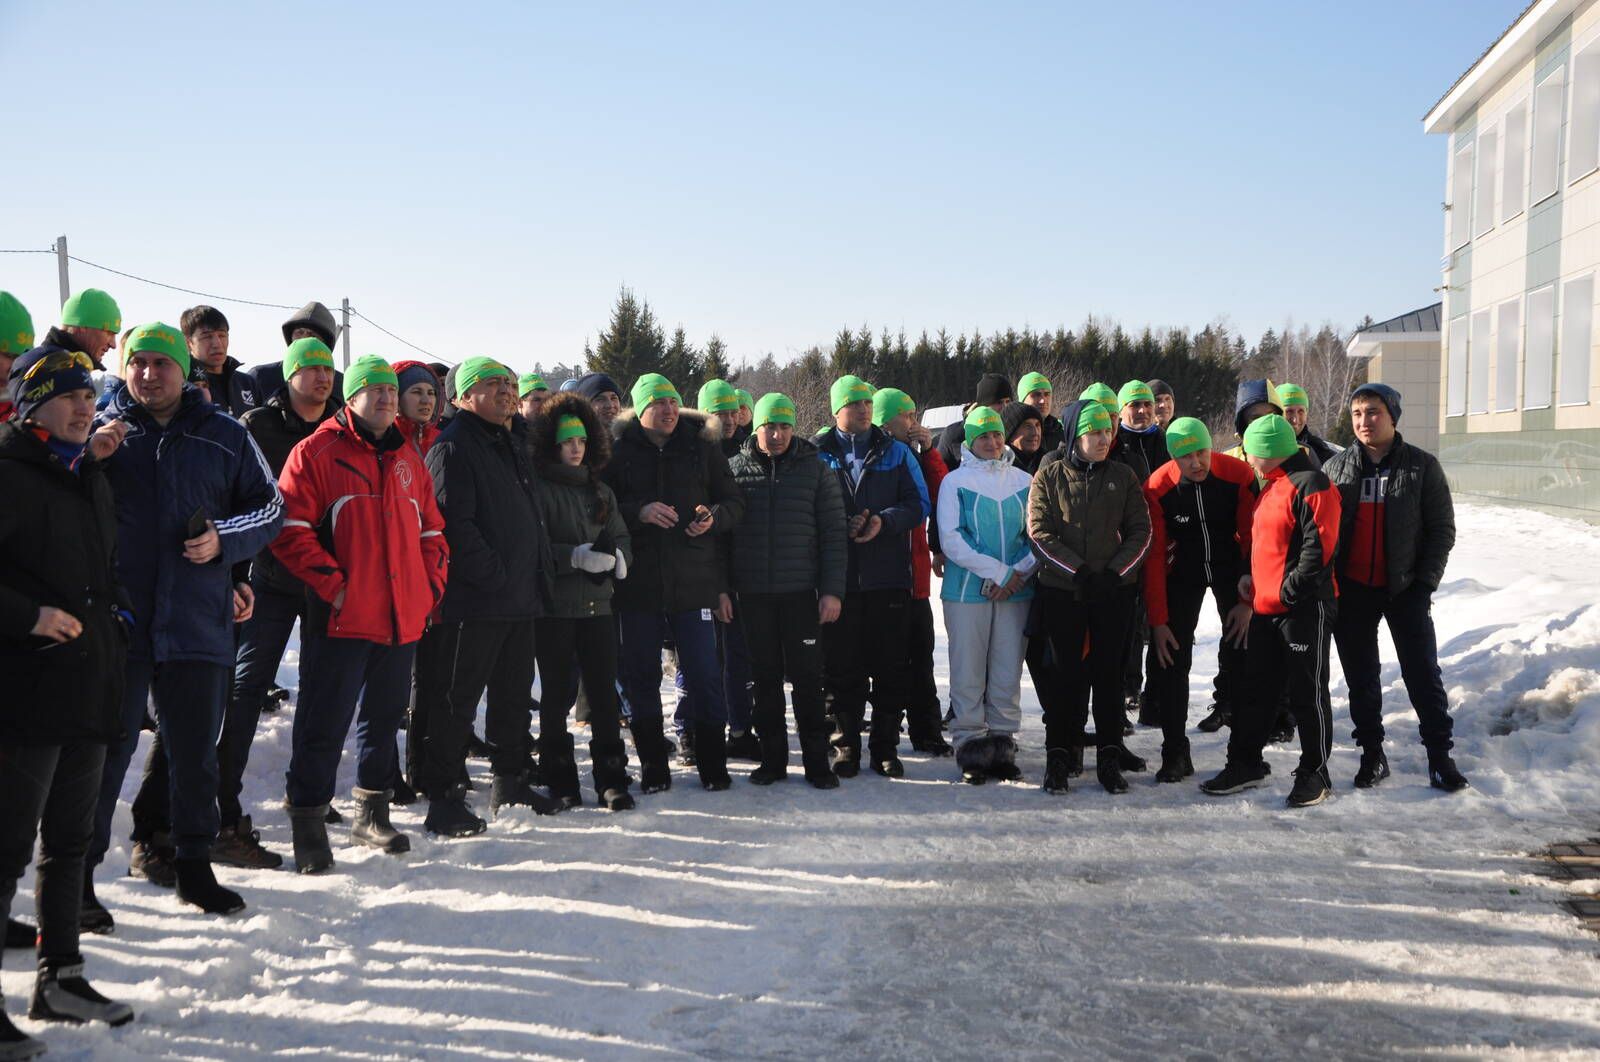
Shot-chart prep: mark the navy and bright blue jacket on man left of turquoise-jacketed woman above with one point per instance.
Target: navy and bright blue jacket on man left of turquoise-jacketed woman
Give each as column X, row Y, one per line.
column 890, row 487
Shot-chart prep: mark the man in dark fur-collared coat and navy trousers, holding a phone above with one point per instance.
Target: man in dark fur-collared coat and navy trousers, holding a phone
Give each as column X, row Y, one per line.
column 678, row 498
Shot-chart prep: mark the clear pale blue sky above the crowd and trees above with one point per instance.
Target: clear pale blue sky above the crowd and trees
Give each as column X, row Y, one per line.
column 482, row 178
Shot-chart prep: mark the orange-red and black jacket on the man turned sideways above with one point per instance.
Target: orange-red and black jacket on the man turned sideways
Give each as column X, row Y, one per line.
column 1294, row 538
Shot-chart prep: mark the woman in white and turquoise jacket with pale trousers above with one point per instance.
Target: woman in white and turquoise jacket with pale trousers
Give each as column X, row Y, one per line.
column 988, row 585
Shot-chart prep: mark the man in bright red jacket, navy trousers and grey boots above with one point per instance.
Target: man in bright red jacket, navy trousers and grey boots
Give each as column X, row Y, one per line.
column 364, row 533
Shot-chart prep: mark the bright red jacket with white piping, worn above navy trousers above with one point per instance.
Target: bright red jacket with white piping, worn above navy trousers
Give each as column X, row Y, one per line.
column 362, row 519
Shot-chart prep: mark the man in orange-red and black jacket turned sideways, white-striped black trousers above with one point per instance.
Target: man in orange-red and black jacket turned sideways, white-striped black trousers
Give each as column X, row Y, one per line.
column 1295, row 535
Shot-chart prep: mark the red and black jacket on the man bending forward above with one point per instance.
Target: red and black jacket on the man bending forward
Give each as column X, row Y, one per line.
column 1201, row 530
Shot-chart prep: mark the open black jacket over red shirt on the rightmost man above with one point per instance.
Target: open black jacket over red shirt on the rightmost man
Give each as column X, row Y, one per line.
column 1420, row 517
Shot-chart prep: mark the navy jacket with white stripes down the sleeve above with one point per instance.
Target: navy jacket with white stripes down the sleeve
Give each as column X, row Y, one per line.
column 202, row 461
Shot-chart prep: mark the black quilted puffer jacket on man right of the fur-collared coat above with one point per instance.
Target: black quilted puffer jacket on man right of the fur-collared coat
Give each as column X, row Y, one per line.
column 794, row 535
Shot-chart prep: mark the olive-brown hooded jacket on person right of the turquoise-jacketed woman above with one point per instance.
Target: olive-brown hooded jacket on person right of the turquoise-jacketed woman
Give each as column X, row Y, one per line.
column 1087, row 517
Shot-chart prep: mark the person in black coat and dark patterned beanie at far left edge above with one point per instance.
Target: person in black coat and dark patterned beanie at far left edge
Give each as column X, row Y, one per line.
column 63, row 644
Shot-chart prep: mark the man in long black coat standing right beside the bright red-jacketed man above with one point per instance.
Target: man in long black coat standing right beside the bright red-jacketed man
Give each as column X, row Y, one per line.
column 500, row 572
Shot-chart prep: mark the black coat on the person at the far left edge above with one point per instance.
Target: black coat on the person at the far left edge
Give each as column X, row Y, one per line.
column 58, row 540
